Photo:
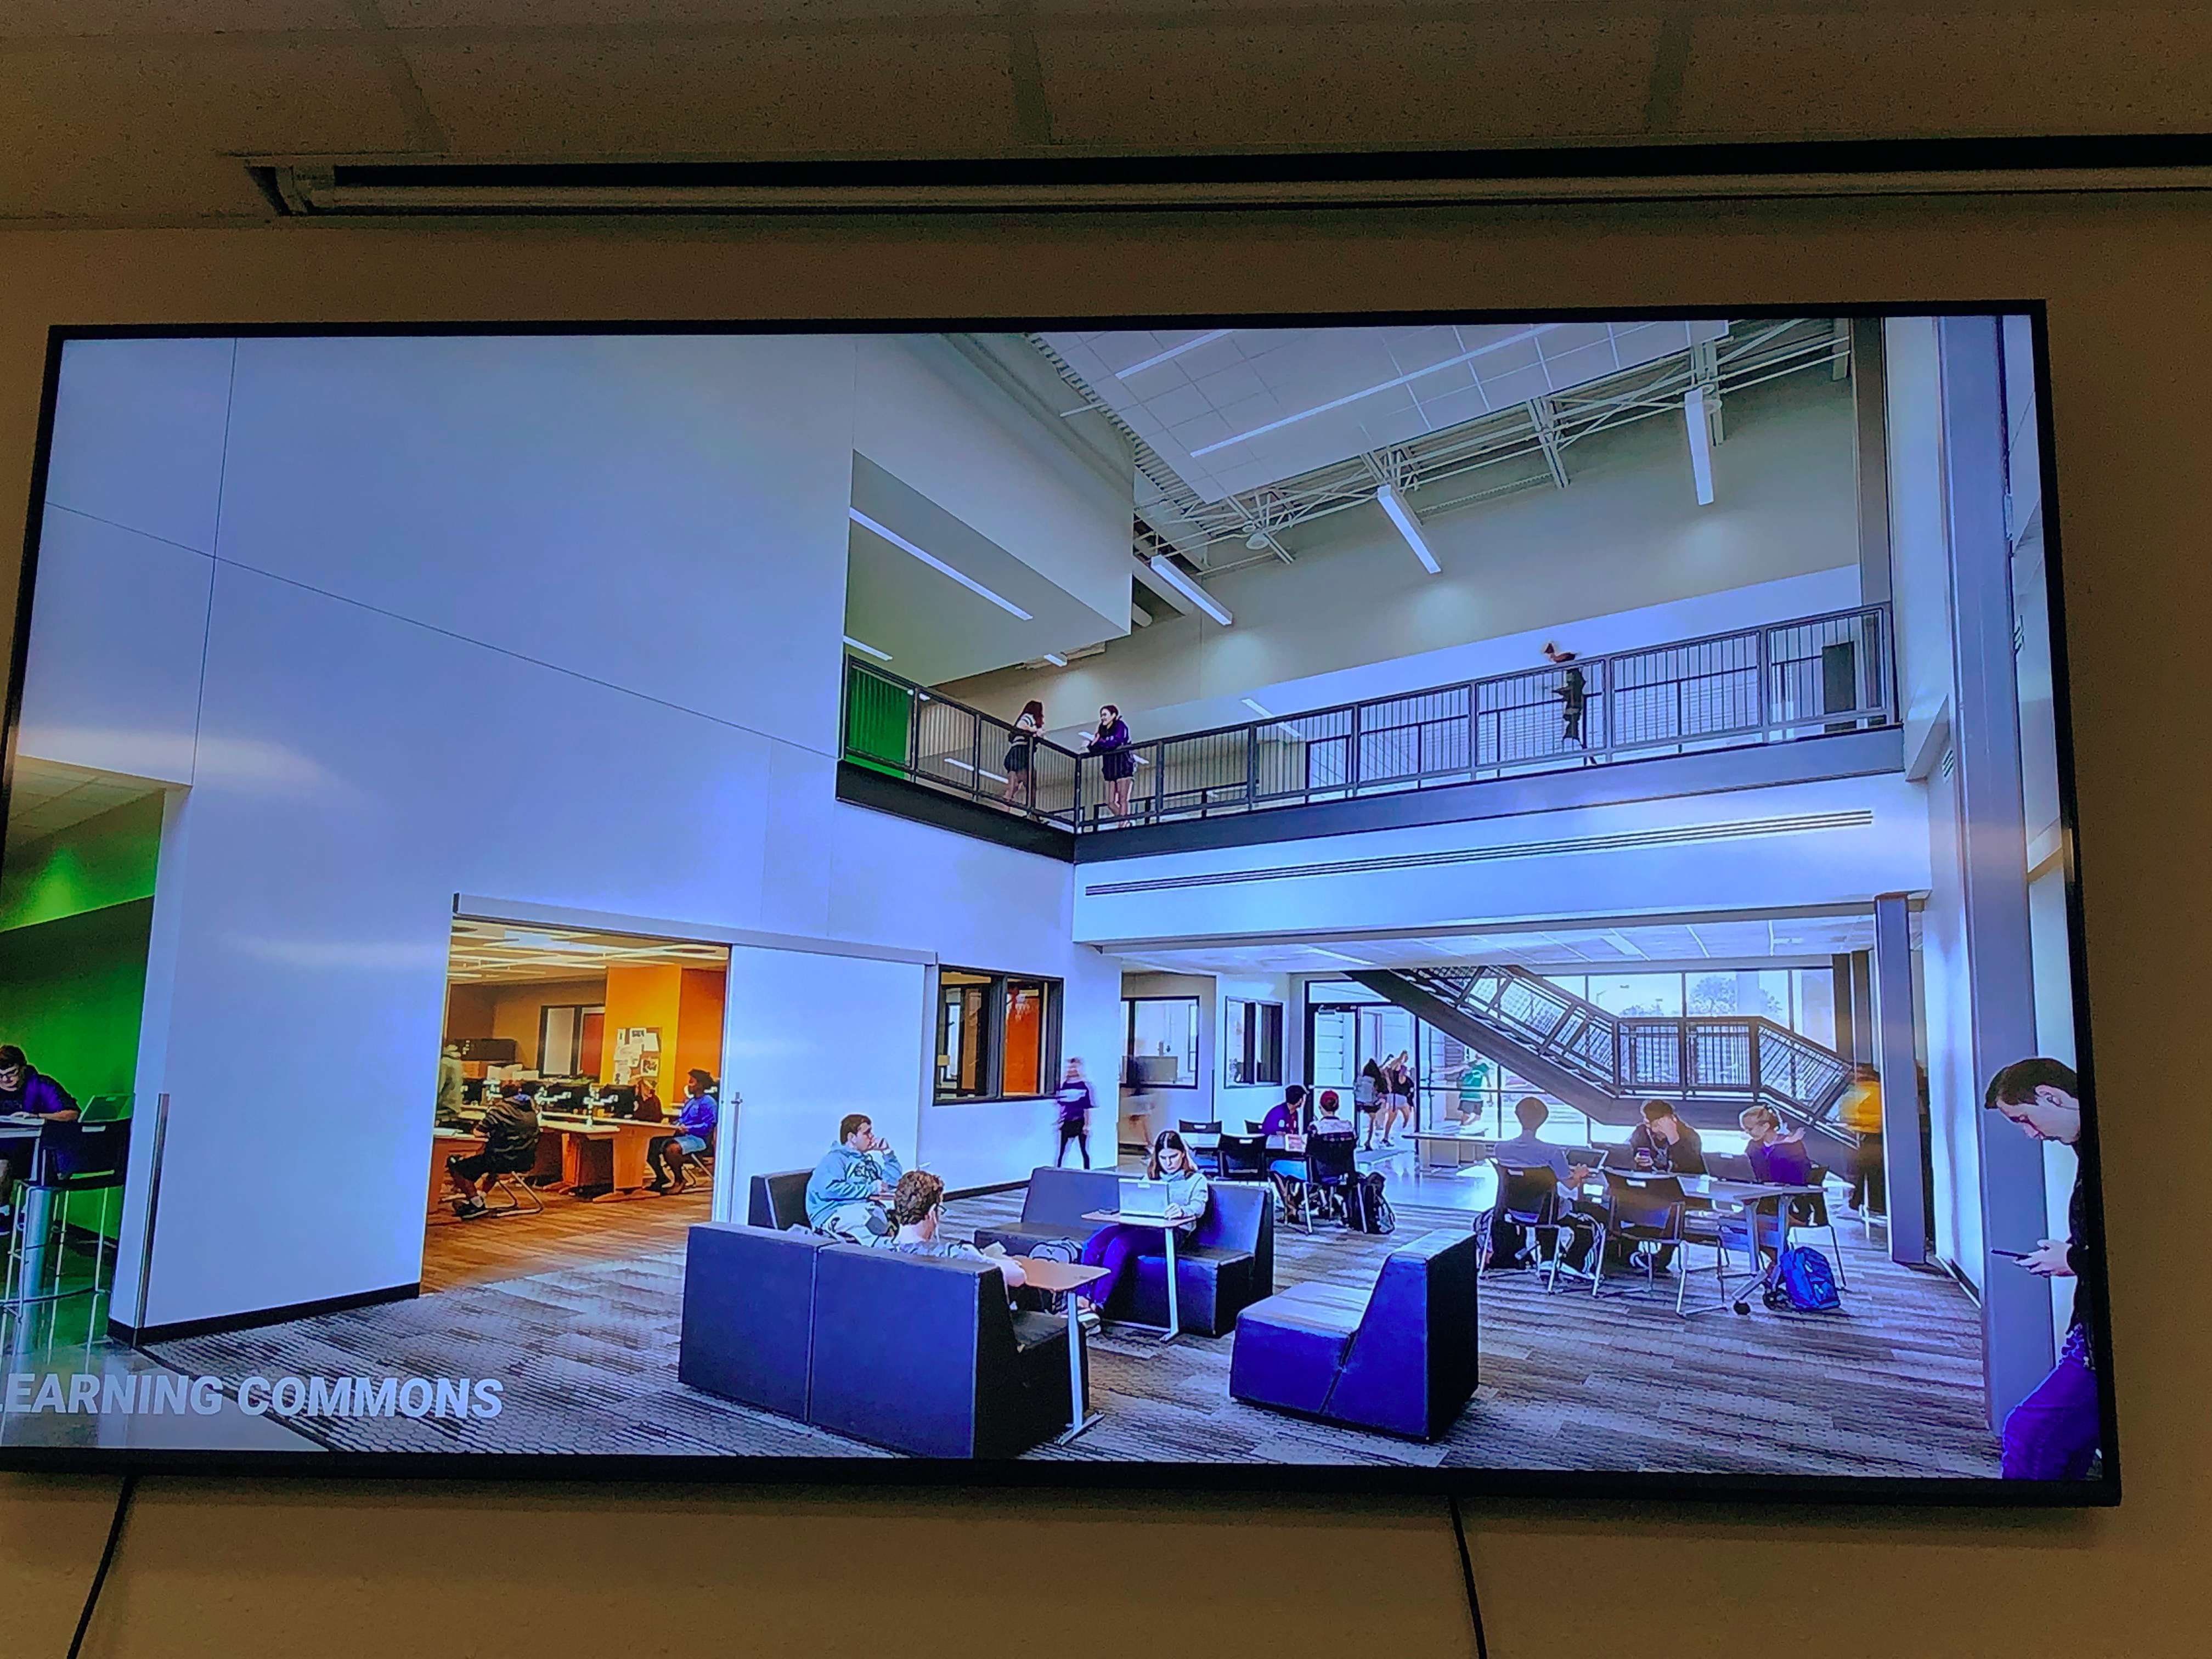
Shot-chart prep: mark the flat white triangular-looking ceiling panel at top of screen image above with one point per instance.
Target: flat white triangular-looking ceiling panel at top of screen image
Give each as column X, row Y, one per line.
column 1235, row 410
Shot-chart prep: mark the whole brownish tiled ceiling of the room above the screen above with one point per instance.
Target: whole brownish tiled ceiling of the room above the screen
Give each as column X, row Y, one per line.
column 134, row 112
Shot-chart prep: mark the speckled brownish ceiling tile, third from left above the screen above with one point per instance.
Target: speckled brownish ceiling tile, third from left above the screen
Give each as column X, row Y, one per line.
column 1344, row 83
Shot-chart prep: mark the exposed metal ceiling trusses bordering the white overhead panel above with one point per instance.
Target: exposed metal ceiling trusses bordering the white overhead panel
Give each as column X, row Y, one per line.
column 1244, row 528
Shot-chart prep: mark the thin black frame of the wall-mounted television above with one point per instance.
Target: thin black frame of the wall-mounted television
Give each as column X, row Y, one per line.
column 1950, row 1492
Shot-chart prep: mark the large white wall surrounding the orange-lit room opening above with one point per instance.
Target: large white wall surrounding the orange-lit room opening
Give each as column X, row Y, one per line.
column 432, row 565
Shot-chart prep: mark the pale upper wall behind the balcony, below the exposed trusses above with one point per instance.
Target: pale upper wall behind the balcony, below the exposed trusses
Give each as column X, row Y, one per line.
column 1786, row 505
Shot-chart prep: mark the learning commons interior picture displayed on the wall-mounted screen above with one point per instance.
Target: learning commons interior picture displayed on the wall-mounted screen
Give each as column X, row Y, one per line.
column 1432, row 899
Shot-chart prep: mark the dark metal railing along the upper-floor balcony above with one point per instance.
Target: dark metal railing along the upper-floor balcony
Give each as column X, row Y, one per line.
column 1768, row 685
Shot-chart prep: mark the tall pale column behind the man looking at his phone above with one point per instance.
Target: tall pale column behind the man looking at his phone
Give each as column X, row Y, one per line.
column 1994, row 855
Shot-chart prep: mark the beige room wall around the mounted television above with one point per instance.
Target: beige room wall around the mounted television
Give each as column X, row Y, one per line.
column 377, row 1569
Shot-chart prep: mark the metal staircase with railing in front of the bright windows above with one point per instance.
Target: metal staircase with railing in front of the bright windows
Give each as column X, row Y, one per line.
column 1707, row 1065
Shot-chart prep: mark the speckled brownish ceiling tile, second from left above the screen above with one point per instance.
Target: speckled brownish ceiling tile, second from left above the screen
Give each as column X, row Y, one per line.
column 755, row 96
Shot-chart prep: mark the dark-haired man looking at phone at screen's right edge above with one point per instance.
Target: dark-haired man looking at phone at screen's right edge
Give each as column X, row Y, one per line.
column 2054, row 1434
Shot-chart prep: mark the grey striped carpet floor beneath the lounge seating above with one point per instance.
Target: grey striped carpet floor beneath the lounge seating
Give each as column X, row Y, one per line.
column 589, row 1355
